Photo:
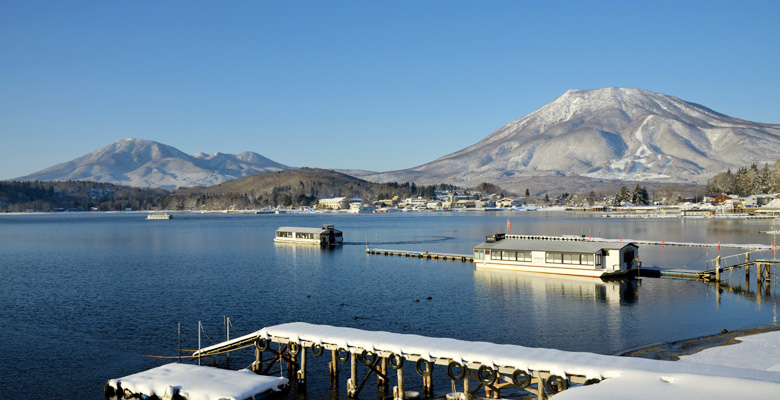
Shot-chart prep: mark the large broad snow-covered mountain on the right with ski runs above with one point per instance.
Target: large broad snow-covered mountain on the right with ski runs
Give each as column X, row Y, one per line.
column 611, row 133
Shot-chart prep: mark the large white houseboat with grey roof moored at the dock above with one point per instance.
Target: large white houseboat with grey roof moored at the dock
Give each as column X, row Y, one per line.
column 578, row 258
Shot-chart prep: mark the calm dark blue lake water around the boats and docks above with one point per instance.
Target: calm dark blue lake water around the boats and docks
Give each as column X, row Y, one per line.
column 86, row 296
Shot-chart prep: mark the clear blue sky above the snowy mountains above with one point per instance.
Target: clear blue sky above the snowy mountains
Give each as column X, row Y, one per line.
column 354, row 84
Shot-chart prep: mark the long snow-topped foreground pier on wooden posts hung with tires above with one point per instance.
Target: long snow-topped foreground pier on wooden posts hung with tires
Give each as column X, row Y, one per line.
column 612, row 373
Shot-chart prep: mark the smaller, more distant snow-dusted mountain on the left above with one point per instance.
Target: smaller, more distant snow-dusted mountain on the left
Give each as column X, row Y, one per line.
column 145, row 163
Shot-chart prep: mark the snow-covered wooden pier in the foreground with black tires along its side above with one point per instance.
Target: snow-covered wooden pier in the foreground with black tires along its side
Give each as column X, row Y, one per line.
column 489, row 366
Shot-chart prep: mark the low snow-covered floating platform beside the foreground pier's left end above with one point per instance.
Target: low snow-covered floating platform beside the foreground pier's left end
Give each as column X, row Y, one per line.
column 199, row 383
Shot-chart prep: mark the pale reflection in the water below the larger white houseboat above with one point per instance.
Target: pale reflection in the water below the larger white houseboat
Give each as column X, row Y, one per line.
column 540, row 286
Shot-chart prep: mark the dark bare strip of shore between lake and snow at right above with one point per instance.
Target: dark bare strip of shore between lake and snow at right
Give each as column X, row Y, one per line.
column 672, row 351
